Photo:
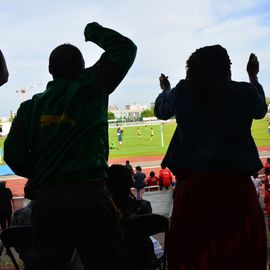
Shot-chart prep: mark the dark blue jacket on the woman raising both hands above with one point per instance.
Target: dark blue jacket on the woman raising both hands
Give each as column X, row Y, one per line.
column 216, row 139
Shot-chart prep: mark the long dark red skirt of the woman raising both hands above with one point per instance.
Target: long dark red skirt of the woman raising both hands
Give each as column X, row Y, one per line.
column 217, row 224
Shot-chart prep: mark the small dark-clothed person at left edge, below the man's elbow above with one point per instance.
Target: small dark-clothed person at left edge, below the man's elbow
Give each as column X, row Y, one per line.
column 5, row 205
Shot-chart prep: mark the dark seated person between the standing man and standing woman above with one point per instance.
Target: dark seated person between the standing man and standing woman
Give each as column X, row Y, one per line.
column 140, row 249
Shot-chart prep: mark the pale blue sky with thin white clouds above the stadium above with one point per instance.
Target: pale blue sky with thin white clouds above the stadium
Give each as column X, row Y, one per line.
column 166, row 33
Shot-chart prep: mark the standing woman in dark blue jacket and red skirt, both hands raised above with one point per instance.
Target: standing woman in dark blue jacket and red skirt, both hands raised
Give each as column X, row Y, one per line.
column 217, row 222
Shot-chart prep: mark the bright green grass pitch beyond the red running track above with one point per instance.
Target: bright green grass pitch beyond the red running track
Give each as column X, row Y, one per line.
column 134, row 146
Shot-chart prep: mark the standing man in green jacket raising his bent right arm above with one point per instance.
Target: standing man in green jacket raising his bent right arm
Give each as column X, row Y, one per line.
column 59, row 139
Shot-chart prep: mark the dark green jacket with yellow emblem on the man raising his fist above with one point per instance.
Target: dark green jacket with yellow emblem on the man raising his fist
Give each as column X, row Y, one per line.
column 61, row 135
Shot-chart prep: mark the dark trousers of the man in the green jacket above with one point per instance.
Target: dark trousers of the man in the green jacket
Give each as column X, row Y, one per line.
column 80, row 216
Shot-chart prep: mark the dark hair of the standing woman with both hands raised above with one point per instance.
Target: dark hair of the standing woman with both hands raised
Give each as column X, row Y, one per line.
column 208, row 72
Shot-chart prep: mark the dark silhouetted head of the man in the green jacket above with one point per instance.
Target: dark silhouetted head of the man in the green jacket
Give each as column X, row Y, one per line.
column 66, row 62
